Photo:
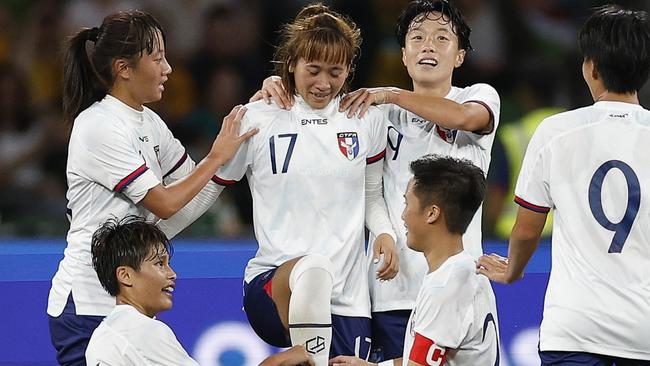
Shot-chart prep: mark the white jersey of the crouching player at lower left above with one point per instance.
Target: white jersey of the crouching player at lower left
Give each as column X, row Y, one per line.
column 128, row 337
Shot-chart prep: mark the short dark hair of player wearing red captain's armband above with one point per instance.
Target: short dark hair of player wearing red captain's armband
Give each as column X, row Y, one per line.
column 455, row 185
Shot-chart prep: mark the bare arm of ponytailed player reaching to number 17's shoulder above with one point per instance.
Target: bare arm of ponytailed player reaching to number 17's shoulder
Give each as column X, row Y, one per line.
column 165, row 201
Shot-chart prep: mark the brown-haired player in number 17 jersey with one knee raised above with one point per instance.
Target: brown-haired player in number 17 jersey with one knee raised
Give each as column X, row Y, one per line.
column 312, row 173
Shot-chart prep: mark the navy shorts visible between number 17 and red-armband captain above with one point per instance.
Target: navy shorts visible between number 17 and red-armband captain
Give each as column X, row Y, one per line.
column 388, row 329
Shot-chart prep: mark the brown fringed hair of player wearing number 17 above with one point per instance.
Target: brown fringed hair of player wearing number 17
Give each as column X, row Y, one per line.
column 317, row 33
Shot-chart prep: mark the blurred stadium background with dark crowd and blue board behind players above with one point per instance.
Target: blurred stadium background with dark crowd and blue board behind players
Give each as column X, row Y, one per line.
column 220, row 51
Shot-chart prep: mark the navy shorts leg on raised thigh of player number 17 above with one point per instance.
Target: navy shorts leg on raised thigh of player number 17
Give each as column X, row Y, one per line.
column 261, row 311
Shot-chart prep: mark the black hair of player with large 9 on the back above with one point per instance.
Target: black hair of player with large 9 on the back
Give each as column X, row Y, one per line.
column 618, row 43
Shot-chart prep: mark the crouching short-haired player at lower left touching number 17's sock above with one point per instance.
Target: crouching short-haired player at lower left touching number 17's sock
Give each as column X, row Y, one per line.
column 131, row 258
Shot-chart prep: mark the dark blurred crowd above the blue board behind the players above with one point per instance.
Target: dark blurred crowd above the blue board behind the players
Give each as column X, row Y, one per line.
column 221, row 50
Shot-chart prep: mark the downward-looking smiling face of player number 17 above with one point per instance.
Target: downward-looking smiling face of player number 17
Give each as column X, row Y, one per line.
column 318, row 82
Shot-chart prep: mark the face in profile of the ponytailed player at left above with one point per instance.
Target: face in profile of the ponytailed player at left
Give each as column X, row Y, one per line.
column 147, row 76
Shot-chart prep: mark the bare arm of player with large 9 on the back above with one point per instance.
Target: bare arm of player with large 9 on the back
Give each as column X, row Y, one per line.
column 523, row 242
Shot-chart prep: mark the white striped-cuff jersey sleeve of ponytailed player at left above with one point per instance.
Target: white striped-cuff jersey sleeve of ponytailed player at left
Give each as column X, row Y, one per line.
column 109, row 158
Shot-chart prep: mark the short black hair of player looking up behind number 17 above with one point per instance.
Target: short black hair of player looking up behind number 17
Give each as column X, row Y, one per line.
column 419, row 10
